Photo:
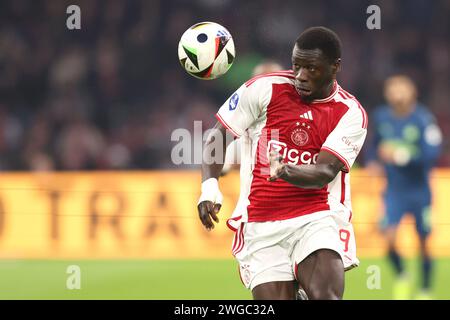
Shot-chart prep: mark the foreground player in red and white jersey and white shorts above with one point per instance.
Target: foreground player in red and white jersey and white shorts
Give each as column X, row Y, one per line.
column 301, row 134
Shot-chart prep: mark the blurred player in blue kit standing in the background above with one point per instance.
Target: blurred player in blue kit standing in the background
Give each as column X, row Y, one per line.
column 406, row 142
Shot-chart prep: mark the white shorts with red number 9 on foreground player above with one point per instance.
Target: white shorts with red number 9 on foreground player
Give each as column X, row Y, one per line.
column 270, row 251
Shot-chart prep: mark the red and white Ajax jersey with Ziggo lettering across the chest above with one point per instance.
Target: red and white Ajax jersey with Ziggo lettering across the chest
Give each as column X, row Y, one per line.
column 267, row 113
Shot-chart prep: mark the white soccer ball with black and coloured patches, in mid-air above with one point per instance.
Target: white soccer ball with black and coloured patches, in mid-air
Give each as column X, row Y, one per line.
column 206, row 50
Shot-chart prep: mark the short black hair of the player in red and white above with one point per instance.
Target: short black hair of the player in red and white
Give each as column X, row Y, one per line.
column 321, row 38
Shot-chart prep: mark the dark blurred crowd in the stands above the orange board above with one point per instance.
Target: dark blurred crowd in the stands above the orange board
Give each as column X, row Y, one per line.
column 110, row 95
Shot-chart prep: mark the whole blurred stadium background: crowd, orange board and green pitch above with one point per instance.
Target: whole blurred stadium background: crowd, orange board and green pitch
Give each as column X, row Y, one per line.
column 86, row 118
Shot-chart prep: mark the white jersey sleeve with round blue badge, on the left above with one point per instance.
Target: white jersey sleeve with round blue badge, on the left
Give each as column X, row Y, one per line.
column 245, row 106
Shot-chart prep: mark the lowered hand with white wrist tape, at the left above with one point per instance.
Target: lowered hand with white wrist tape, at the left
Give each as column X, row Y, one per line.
column 209, row 203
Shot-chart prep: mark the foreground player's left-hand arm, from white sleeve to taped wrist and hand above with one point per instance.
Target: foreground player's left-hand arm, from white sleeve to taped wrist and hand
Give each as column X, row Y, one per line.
column 235, row 116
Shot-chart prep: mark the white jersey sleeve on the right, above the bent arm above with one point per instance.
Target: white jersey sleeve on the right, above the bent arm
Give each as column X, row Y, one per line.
column 347, row 138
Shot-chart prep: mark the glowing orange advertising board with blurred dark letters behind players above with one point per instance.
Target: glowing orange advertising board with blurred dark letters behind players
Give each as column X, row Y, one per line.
column 153, row 215
